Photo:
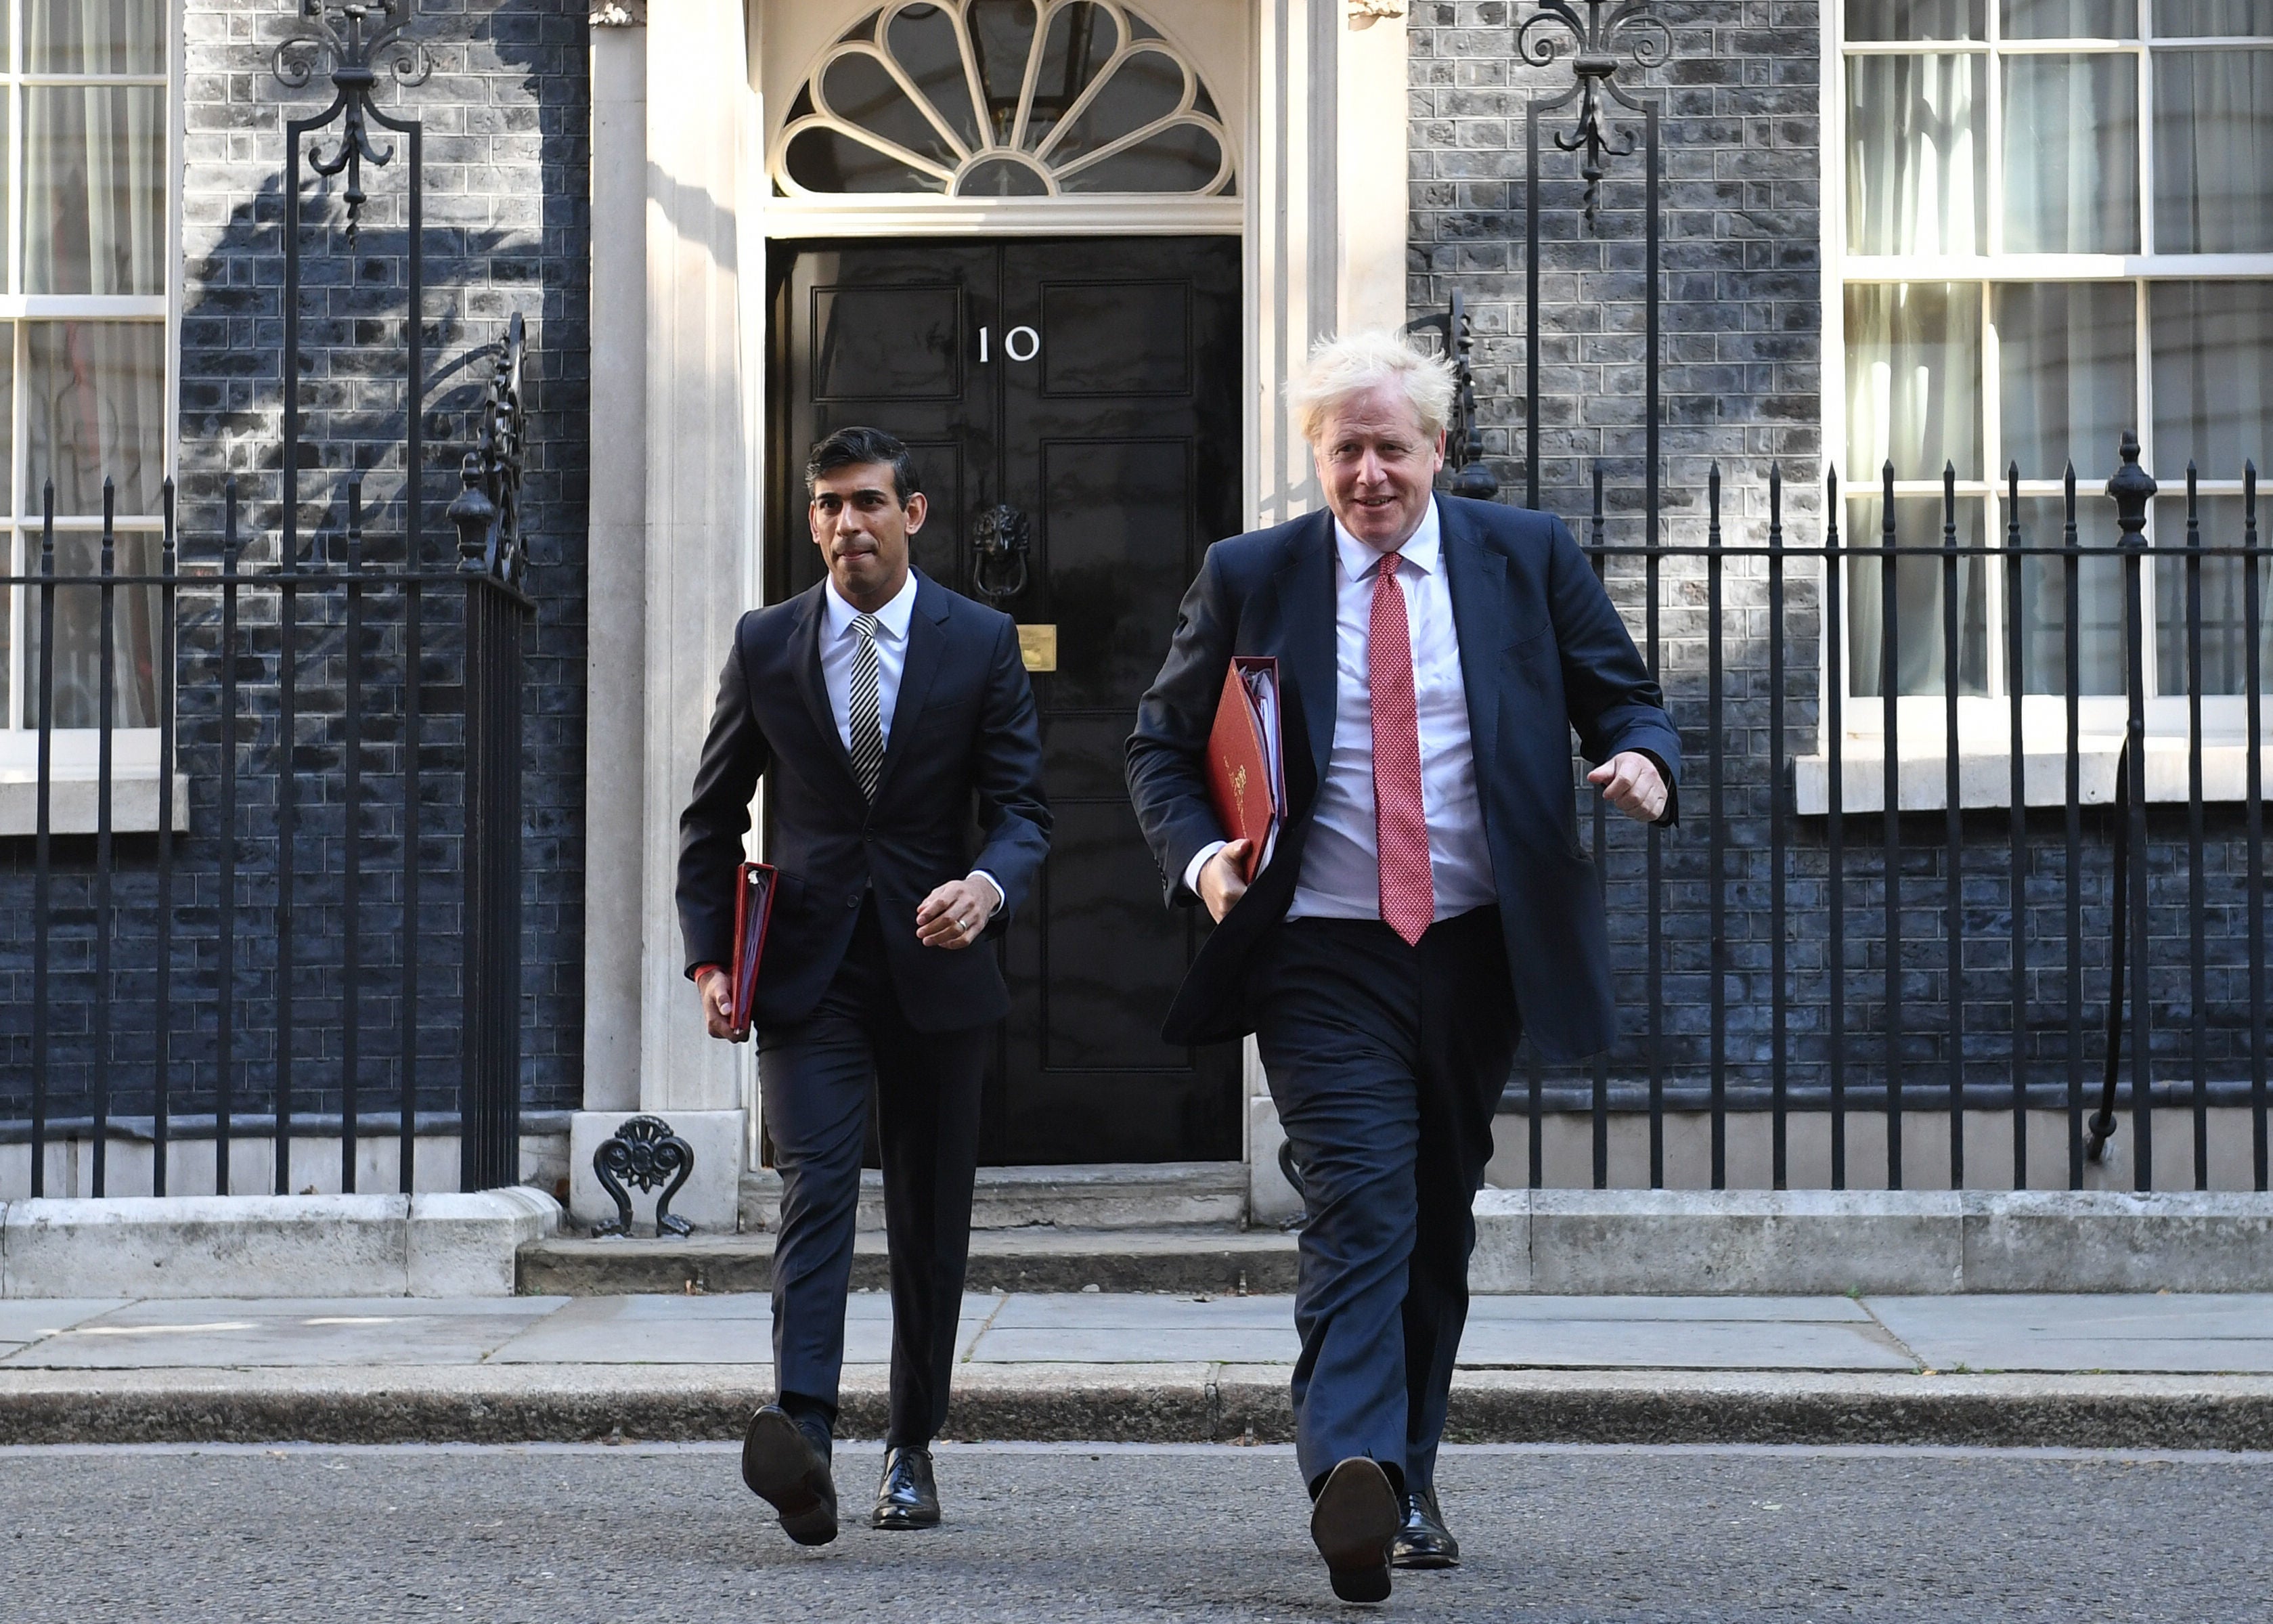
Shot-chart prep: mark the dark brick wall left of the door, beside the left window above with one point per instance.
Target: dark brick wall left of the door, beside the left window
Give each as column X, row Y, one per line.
column 506, row 117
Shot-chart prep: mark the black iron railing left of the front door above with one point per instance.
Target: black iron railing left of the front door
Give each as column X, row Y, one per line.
column 263, row 963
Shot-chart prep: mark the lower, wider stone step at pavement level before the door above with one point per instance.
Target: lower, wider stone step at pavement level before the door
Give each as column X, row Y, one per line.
column 1035, row 1259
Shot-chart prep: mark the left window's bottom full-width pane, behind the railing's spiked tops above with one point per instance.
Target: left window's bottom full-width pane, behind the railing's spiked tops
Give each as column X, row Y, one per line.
column 78, row 633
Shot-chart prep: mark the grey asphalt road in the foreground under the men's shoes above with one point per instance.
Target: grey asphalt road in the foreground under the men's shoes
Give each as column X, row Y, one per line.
column 1067, row 1534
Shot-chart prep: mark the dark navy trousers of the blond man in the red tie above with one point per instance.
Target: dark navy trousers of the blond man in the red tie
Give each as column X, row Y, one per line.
column 1388, row 1063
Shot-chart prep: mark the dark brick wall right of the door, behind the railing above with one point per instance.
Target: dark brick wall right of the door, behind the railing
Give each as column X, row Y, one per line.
column 1742, row 379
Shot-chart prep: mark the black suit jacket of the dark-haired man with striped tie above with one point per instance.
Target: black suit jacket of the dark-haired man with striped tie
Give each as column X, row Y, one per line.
column 963, row 734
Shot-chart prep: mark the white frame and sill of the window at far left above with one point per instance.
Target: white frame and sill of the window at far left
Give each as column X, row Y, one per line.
column 76, row 749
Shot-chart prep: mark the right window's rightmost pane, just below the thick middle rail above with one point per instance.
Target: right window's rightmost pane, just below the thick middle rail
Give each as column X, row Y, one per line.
column 2213, row 376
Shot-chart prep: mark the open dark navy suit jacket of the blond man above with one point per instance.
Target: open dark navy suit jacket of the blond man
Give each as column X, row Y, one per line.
column 1542, row 652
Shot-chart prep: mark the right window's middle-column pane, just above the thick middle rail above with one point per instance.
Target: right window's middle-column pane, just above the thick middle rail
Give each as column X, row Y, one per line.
column 2072, row 156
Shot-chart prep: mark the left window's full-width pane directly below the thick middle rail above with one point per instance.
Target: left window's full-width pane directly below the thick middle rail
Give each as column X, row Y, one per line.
column 94, row 406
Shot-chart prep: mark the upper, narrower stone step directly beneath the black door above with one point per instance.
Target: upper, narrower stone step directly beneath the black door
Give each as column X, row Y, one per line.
column 1097, row 1195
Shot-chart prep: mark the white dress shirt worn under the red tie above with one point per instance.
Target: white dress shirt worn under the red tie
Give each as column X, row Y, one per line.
column 1342, row 872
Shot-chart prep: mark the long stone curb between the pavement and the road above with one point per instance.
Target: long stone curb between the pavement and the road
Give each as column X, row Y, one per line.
column 1135, row 1405
